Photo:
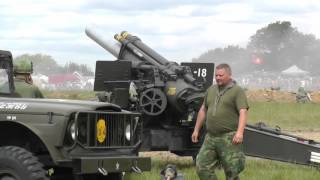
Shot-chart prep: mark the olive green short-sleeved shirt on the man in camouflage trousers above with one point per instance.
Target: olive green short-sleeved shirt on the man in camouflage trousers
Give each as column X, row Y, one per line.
column 224, row 117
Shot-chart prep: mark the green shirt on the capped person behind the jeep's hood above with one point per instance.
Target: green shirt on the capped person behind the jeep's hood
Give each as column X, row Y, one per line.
column 26, row 90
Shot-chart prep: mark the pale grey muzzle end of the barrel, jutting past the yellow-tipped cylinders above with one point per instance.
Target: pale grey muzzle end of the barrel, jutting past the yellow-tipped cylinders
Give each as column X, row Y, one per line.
column 113, row 48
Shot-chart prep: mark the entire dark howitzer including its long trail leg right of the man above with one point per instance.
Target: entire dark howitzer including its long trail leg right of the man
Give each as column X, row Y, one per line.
column 169, row 95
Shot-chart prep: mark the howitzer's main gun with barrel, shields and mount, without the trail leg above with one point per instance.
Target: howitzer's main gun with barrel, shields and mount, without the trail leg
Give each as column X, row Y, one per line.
column 168, row 94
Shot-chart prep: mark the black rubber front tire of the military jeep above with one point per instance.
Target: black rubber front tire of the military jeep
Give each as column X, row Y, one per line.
column 21, row 163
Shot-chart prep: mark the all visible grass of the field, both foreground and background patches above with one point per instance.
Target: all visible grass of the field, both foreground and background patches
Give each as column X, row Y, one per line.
column 290, row 116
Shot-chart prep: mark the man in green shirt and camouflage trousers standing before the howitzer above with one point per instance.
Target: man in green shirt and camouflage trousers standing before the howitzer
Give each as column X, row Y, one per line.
column 224, row 110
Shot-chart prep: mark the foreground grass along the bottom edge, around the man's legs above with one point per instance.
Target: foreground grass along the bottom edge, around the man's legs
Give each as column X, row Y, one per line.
column 256, row 169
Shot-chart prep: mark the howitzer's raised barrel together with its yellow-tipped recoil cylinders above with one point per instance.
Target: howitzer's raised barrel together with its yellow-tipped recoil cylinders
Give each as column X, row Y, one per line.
column 128, row 47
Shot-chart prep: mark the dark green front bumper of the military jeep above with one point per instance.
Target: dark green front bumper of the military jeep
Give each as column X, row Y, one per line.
column 105, row 165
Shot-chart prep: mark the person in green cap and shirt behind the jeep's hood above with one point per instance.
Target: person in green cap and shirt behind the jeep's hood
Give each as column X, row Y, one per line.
column 23, row 82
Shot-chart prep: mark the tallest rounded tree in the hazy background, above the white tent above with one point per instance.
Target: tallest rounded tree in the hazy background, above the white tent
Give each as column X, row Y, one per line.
column 280, row 46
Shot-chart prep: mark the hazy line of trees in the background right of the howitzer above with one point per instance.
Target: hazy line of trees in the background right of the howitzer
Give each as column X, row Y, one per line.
column 272, row 48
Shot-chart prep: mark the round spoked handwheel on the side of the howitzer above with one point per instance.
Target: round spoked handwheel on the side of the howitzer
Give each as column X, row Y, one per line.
column 153, row 101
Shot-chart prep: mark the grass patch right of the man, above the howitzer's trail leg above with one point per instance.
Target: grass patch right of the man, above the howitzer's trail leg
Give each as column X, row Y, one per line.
column 289, row 116
